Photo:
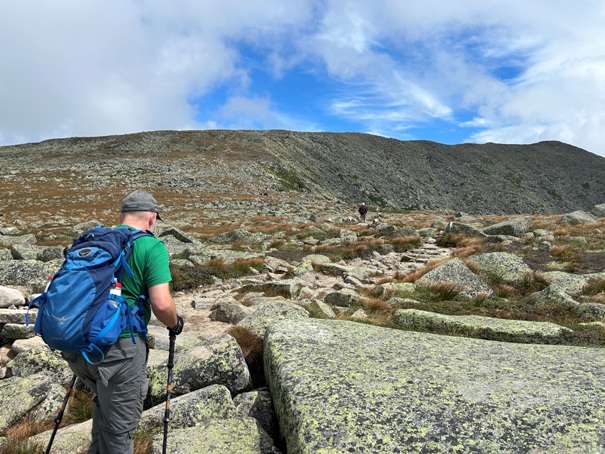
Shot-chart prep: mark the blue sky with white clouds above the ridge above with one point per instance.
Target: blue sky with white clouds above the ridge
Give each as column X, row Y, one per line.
column 467, row 71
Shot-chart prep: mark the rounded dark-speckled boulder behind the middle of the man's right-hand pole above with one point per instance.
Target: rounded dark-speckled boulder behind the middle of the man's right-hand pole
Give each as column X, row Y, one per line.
column 218, row 360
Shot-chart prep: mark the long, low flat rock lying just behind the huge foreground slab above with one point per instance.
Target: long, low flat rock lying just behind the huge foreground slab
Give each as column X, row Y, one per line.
column 489, row 327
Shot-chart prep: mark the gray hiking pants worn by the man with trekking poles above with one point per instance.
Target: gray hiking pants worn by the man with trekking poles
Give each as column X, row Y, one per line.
column 120, row 385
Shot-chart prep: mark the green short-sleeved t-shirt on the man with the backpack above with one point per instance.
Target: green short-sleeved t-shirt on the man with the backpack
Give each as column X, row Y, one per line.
column 149, row 262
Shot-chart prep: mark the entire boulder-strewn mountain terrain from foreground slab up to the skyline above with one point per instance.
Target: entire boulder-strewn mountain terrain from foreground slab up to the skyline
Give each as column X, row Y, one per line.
column 465, row 314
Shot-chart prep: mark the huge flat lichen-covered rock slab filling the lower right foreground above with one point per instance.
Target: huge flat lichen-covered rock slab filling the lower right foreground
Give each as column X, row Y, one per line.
column 347, row 387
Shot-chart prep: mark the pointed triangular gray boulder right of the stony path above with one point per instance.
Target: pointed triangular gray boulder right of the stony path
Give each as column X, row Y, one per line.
column 456, row 272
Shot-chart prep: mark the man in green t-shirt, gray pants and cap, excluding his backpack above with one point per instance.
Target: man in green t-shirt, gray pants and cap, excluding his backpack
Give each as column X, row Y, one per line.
column 119, row 383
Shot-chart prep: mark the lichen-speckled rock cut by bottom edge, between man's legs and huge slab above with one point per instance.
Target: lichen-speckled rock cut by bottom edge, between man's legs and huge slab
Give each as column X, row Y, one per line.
column 227, row 436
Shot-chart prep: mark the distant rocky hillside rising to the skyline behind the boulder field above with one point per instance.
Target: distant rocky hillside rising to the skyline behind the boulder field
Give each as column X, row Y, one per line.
column 263, row 171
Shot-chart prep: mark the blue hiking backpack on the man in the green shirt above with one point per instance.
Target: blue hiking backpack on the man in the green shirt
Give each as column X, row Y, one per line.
column 77, row 312
